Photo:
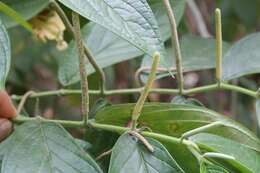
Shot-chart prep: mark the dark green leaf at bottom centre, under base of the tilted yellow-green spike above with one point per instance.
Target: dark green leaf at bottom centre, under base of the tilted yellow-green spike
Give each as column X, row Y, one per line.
column 137, row 158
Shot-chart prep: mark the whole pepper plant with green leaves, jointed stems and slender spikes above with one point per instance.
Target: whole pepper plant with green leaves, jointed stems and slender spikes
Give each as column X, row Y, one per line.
column 147, row 137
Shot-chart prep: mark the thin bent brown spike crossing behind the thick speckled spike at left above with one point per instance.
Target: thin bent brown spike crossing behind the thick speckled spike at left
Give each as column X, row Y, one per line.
column 87, row 51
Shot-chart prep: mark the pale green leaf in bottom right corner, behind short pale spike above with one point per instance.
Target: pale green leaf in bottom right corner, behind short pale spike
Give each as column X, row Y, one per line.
column 246, row 159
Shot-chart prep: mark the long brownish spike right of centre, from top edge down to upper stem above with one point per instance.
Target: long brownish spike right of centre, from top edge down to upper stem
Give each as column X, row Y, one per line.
column 176, row 45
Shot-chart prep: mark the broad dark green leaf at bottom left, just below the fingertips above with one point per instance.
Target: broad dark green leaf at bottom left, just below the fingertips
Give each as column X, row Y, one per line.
column 45, row 147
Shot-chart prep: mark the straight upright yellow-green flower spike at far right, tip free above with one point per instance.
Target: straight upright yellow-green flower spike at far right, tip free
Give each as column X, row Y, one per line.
column 218, row 45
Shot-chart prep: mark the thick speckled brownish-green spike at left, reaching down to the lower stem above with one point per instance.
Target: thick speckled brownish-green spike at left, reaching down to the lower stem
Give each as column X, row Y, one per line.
column 83, row 72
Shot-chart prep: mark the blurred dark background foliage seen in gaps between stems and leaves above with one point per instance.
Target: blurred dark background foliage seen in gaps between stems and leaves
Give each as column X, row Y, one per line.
column 35, row 66
